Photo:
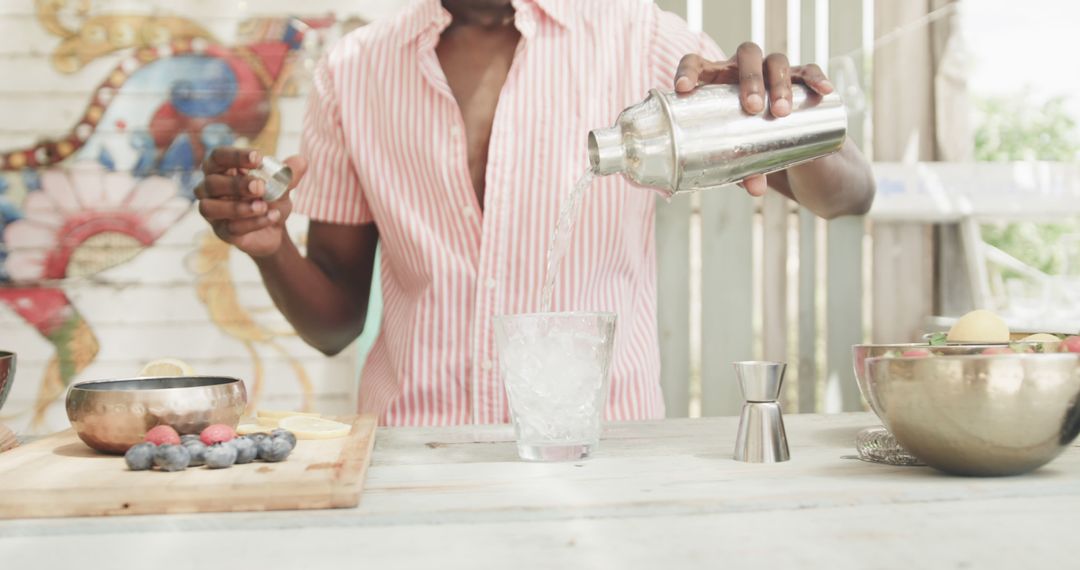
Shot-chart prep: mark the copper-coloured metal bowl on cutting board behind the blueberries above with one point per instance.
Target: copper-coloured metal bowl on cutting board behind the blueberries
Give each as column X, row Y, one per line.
column 112, row 416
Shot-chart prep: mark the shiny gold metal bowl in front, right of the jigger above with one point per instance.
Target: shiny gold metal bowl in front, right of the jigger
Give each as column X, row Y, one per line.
column 985, row 415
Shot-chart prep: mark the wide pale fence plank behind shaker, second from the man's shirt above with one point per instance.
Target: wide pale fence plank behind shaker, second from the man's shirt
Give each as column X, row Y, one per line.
column 727, row 219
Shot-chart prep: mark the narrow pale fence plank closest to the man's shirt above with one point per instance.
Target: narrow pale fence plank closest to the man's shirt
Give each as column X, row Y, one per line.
column 673, row 289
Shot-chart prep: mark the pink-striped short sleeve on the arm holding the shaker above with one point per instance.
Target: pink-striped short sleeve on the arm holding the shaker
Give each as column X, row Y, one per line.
column 672, row 39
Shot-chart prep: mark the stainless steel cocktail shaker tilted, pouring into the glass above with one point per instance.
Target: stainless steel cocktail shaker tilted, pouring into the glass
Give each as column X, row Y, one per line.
column 677, row 143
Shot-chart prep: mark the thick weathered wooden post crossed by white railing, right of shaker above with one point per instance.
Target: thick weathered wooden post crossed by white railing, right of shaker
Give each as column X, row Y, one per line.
column 908, row 76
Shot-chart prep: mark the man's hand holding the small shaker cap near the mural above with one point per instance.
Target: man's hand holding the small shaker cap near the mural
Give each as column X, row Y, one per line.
column 232, row 201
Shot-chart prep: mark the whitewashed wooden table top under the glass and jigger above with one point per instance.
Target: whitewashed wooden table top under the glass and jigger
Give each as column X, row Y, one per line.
column 658, row 495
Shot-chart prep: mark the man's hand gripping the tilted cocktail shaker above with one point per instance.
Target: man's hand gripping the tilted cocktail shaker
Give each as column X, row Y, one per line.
column 759, row 78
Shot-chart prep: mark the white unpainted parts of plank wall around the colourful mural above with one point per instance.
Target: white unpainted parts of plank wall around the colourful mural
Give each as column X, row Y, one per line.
column 148, row 307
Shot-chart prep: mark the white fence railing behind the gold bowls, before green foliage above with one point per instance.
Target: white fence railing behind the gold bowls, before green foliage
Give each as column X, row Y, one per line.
column 967, row 196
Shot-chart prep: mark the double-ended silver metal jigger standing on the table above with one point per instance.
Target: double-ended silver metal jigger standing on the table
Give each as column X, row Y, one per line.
column 762, row 438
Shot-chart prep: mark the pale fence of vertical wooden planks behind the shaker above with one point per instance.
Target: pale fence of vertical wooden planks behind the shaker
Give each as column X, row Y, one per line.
column 727, row 245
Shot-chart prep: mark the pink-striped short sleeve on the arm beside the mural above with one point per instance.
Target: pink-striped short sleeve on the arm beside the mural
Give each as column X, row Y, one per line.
column 331, row 189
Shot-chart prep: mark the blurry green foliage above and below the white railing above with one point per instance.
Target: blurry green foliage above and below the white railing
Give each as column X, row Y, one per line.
column 1020, row 129
